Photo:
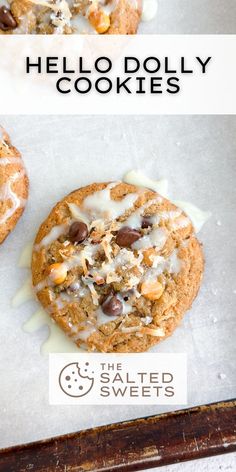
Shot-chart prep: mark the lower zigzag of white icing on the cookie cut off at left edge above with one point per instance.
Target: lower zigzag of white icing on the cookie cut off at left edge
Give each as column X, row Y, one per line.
column 6, row 193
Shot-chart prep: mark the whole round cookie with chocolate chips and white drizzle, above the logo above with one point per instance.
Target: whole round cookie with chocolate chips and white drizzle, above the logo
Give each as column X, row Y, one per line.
column 116, row 266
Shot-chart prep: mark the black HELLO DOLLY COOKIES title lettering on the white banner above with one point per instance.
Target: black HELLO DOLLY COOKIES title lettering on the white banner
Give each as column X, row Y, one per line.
column 127, row 75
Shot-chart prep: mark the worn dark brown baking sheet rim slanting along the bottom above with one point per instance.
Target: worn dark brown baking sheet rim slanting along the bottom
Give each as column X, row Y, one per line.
column 132, row 445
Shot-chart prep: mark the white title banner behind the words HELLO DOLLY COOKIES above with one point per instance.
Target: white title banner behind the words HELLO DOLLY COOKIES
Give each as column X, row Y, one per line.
column 210, row 93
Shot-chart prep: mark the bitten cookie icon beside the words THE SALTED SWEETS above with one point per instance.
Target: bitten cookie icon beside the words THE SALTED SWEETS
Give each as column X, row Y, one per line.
column 76, row 379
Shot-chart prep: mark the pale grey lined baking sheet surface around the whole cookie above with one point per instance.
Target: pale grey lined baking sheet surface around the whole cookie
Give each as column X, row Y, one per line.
column 197, row 155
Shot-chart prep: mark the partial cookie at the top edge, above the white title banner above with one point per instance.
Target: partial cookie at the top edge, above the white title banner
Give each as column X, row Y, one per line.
column 70, row 16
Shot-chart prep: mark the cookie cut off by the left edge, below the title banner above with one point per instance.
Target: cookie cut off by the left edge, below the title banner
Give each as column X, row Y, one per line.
column 13, row 185
